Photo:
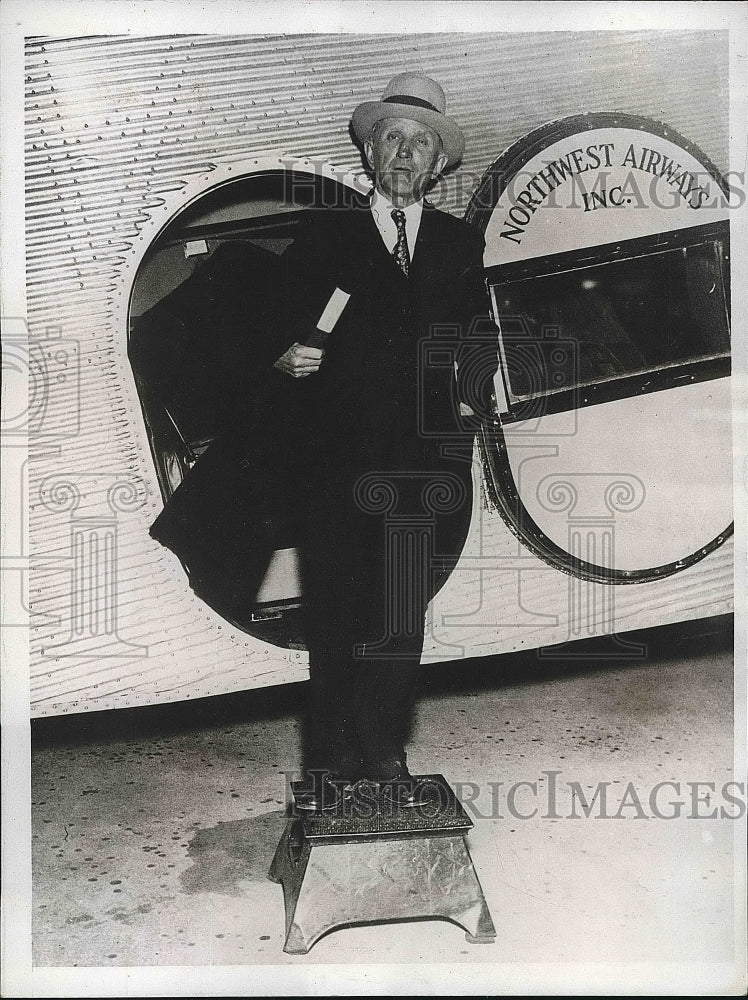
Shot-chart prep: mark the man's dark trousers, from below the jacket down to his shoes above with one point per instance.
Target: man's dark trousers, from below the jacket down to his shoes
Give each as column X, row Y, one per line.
column 368, row 575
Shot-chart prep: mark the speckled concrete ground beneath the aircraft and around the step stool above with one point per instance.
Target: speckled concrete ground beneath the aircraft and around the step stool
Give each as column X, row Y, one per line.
column 153, row 829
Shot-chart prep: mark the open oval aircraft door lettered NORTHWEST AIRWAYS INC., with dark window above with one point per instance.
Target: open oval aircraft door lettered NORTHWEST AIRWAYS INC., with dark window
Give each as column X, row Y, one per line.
column 607, row 265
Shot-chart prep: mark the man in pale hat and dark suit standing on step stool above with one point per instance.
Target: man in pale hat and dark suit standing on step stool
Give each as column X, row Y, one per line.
column 382, row 445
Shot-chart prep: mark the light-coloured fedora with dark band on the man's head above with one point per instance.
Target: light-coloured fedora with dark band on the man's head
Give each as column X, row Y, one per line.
column 415, row 96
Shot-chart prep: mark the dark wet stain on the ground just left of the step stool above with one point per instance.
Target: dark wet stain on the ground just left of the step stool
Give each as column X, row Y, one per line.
column 230, row 853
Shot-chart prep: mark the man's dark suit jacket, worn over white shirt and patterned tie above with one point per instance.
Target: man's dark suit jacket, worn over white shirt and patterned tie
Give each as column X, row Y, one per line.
column 388, row 371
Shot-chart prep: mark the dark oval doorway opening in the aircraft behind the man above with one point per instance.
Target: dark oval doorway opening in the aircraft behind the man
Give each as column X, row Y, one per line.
column 193, row 325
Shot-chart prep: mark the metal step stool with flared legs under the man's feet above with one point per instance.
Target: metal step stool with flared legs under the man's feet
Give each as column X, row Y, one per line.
column 370, row 861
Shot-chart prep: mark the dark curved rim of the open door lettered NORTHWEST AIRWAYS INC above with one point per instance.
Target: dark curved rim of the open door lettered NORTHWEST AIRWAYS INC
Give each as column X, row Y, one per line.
column 501, row 487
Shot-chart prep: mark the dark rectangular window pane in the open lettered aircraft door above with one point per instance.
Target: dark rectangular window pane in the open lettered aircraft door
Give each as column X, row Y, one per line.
column 612, row 320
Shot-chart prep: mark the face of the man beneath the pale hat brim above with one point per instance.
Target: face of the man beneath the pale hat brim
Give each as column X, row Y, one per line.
column 404, row 155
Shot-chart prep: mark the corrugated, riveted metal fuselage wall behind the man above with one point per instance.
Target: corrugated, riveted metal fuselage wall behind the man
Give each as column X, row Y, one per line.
column 120, row 134
